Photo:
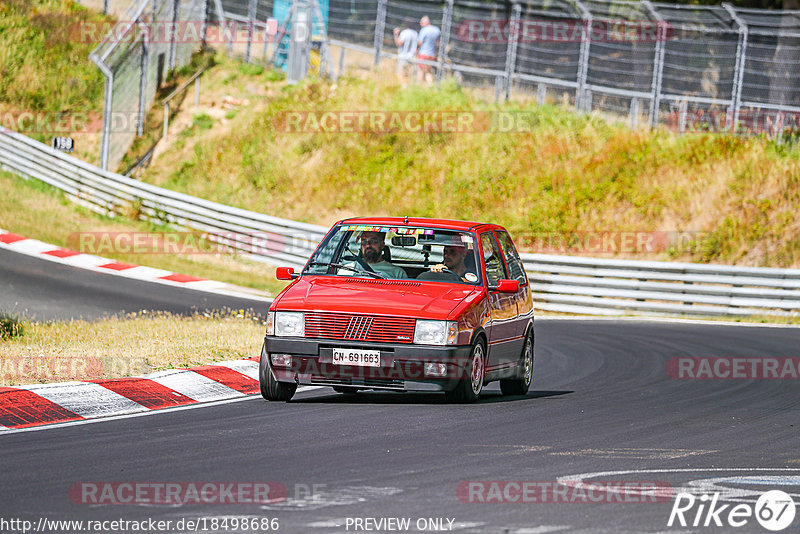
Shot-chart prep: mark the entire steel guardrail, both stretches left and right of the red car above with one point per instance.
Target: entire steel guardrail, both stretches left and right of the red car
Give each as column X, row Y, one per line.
column 560, row 283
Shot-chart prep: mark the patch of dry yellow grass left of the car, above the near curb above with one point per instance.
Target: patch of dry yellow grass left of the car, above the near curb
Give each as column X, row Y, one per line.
column 126, row 346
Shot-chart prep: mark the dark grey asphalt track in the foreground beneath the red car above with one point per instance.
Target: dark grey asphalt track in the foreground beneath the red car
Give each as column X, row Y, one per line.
column 601, row 401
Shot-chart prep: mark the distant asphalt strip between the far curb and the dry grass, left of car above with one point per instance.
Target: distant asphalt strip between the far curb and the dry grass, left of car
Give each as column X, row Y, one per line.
column 44, row 291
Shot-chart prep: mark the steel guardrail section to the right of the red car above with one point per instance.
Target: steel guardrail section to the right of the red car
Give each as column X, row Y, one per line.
column 617, row 287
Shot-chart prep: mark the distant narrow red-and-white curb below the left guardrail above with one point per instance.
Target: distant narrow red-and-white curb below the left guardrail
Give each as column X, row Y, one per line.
column 39, row 249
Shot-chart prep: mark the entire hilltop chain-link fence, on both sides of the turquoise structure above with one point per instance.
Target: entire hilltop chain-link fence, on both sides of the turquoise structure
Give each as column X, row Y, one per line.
column 687, row 67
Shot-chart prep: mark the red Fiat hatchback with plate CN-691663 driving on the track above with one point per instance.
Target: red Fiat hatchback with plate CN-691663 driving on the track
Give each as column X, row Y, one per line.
column 403, row 304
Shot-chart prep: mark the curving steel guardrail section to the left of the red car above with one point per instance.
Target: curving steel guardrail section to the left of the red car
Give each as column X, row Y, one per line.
column 260, row 236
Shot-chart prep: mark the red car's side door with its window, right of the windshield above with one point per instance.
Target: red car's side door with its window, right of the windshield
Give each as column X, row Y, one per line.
column 503, row 308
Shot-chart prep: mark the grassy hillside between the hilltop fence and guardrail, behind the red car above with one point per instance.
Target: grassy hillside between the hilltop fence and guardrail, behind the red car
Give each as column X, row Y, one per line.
column 568, row 174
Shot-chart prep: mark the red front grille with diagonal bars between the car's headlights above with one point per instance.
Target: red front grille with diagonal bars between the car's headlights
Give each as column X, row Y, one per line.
column 350, row 327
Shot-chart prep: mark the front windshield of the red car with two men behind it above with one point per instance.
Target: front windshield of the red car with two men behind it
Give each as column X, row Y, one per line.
column 398, row 252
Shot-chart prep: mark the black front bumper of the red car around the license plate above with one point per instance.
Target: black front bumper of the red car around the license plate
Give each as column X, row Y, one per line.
column 402, row 365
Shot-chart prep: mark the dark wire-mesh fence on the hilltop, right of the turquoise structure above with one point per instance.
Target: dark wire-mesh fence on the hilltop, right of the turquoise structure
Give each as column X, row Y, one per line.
column 687, row 67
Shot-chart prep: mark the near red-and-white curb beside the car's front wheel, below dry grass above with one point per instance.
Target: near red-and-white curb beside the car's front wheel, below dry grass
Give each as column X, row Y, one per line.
column 23, row 407
